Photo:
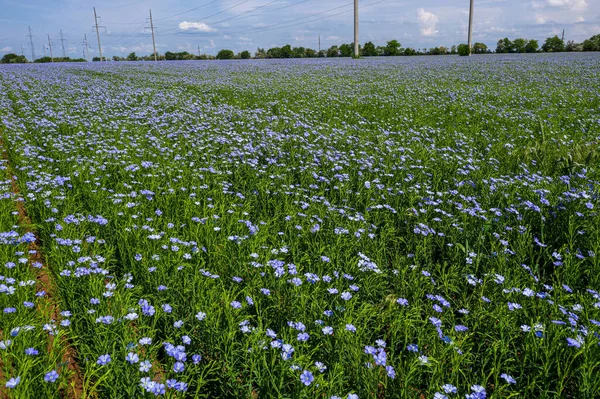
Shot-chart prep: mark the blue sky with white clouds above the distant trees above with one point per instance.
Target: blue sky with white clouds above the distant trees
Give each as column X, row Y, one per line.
column 248, row 24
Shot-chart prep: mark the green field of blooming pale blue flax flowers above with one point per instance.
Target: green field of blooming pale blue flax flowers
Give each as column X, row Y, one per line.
column 397, row 228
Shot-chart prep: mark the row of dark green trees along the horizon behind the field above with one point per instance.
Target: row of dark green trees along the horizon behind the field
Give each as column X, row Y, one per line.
column 369, row 49
